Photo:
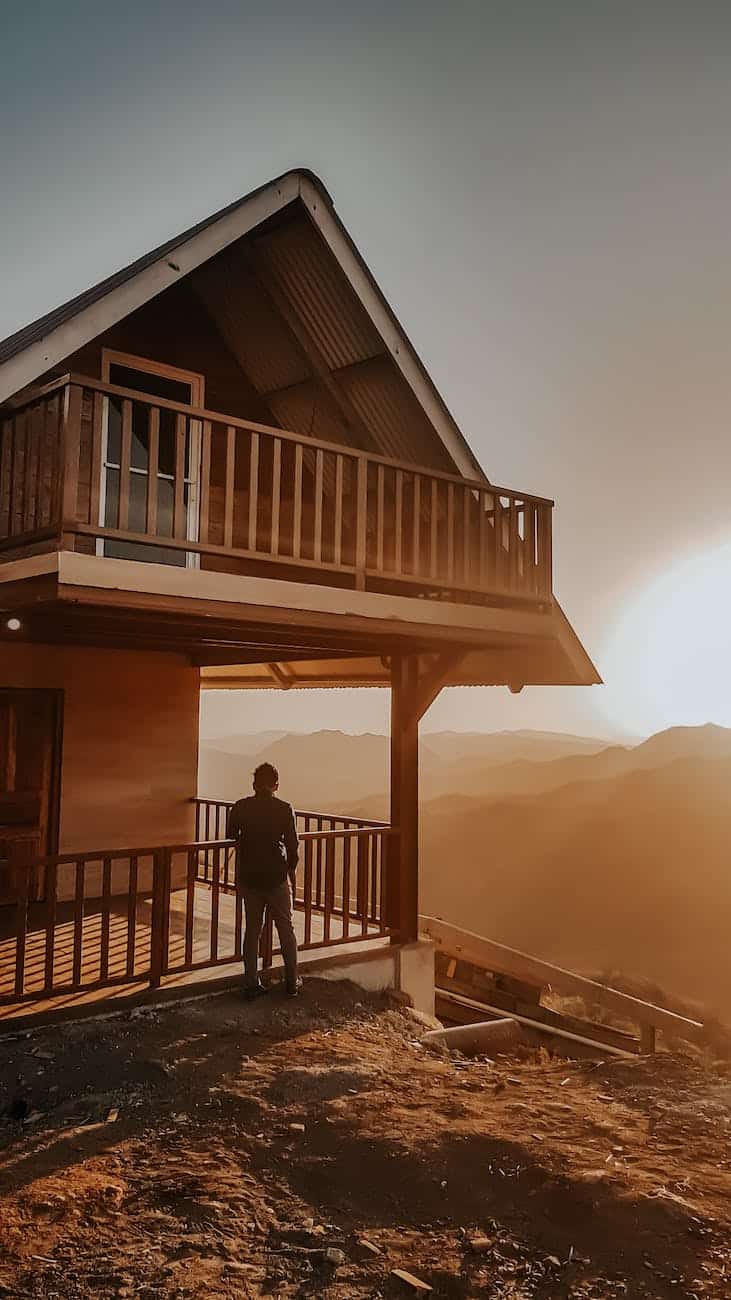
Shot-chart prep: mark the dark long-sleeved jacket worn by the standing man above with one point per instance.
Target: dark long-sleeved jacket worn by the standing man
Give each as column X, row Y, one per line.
column 266, row 834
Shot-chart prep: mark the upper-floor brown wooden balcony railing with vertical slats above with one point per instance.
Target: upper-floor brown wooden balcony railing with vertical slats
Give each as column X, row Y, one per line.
column 96, row 467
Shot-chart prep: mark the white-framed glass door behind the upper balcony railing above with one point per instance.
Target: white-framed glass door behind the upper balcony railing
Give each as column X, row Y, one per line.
column 157, row 382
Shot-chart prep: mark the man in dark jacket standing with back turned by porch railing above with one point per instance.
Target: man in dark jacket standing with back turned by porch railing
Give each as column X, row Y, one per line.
column 267, row 852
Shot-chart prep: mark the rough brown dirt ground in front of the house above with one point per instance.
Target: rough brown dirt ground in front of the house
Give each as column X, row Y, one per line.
column 310, row 1149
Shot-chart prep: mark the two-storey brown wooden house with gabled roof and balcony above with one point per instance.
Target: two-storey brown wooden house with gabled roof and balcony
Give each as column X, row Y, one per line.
column 226, row 467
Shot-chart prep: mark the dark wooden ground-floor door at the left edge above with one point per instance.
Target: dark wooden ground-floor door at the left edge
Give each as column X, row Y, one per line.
column 29, row 781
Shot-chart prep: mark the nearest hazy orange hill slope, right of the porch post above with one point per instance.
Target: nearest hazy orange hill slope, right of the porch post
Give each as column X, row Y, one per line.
column 630, row 873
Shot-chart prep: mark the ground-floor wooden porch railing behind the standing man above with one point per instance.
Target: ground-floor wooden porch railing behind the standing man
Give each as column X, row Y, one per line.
column 93, row 921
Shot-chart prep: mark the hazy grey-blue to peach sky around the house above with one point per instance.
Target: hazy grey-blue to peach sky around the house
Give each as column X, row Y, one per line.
column 543, row 192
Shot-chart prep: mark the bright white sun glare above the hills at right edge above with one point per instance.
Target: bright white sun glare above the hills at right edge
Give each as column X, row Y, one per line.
column 667, row 662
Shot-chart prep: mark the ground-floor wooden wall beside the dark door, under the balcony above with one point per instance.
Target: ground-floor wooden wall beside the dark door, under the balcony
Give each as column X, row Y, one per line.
column 131, row 742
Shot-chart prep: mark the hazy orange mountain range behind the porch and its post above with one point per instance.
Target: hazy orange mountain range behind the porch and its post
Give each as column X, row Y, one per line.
column 598, row 856
